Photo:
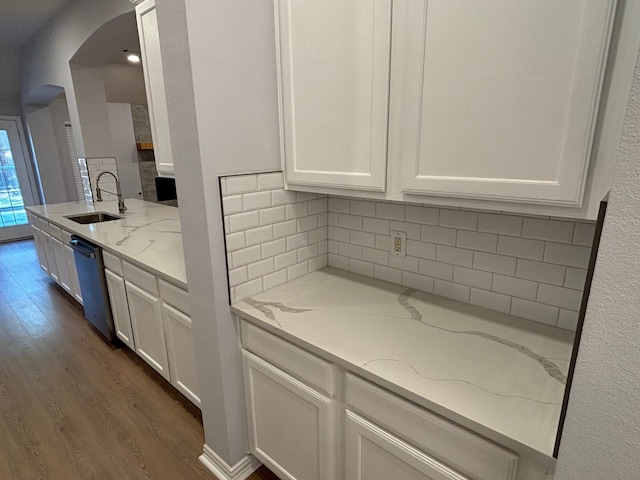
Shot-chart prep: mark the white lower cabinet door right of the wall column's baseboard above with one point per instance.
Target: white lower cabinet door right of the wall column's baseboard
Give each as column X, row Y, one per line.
column 290, row 424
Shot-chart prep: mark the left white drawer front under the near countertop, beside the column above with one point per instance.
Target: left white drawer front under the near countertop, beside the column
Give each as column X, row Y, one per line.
column 288, row 357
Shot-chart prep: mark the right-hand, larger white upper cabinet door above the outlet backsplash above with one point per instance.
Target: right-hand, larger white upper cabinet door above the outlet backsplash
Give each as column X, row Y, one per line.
column 497, row 99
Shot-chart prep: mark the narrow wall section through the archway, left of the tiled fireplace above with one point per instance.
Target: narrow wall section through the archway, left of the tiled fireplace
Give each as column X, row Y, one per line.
column 124, row 149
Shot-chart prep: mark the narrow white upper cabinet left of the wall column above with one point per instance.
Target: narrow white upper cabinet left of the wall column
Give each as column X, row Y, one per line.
column 154, row 85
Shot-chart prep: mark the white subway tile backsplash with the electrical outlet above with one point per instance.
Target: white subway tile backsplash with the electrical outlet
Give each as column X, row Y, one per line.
column 530, row 267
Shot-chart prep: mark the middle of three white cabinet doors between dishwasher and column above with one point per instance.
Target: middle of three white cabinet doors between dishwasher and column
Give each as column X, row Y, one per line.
column 146, row 319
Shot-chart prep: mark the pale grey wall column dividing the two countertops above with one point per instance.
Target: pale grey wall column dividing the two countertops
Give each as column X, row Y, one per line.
column 220, row 79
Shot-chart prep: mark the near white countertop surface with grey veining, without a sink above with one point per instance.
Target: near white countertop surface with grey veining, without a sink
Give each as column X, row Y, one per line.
column 495, row 374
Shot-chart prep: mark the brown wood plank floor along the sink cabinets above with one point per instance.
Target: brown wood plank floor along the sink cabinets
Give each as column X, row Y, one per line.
column 74, row 407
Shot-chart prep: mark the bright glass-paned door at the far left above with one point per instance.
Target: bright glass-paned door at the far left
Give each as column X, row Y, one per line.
column 15, row 186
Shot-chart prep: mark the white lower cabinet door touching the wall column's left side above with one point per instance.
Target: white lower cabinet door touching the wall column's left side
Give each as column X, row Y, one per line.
column 182, row 359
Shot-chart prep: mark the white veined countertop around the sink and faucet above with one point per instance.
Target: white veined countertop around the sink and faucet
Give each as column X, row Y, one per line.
column 147, row 234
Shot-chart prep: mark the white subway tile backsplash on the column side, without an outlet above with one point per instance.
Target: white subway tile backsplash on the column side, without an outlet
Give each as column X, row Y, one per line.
column 272, row 235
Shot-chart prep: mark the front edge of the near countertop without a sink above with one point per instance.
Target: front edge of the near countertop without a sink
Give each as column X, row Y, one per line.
column 423, row 402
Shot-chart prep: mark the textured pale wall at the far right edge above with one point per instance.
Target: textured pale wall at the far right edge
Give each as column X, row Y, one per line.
column 601, row 436
